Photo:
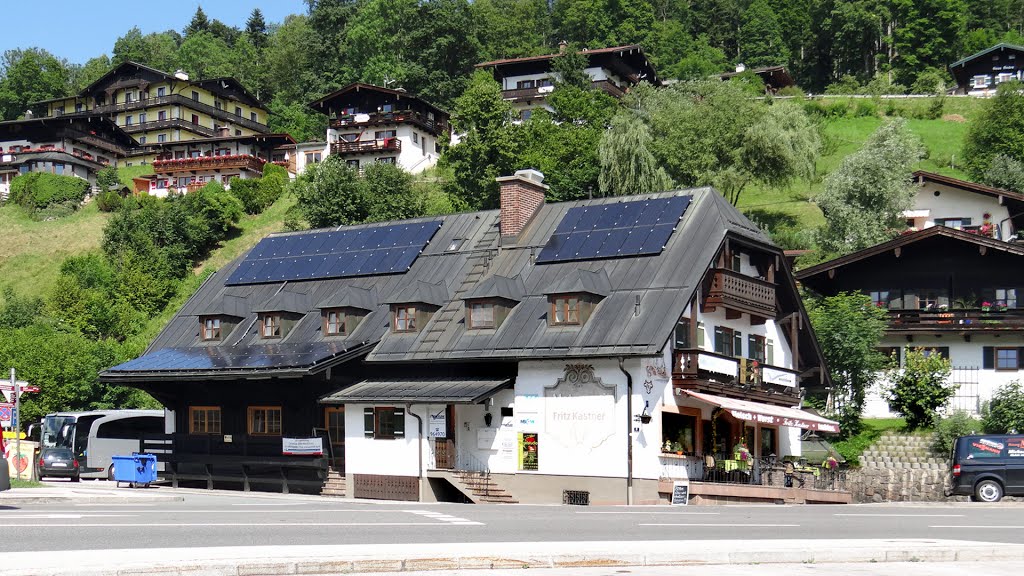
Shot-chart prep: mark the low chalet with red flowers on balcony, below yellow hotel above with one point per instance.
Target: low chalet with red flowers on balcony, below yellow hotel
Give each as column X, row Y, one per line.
column 190, row 166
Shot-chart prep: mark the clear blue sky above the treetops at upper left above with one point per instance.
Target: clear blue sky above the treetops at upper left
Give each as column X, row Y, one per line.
column 78, row 31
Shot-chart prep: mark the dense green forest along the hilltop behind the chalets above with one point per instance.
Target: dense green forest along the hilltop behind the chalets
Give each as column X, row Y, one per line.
column 430, row 48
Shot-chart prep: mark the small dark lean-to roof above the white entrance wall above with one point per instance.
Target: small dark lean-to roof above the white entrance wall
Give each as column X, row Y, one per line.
column 419, row 391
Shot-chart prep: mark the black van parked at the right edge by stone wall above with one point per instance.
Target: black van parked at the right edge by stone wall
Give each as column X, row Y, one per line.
column 989, row 467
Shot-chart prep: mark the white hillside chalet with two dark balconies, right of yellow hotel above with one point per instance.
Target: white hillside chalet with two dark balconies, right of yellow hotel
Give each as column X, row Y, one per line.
column 374, row 125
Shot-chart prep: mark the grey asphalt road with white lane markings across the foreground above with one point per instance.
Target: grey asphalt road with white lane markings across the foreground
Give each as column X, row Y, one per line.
column 259, row 520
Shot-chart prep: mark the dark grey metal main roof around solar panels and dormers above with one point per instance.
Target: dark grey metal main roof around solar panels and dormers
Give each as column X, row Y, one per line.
column 664, row 284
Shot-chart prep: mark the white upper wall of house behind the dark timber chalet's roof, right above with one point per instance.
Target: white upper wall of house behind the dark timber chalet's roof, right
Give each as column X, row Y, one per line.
column 954, row 203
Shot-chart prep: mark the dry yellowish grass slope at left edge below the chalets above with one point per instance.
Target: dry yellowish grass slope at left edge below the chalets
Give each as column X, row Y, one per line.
column 31, row 253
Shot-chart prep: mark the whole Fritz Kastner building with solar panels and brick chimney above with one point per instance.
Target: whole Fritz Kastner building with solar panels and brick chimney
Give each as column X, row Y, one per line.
column 599, row 349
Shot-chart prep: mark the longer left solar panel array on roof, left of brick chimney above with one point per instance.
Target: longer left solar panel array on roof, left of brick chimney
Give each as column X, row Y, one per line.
column 366, row 252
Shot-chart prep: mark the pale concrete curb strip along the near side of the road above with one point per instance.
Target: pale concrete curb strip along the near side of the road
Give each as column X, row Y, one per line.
column 337, row 560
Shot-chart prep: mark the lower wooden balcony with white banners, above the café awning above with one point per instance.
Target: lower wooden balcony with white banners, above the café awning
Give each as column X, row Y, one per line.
column 738, row 378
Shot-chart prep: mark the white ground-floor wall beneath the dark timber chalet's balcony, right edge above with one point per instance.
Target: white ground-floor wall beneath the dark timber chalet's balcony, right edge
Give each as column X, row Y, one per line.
column 962, row 355
